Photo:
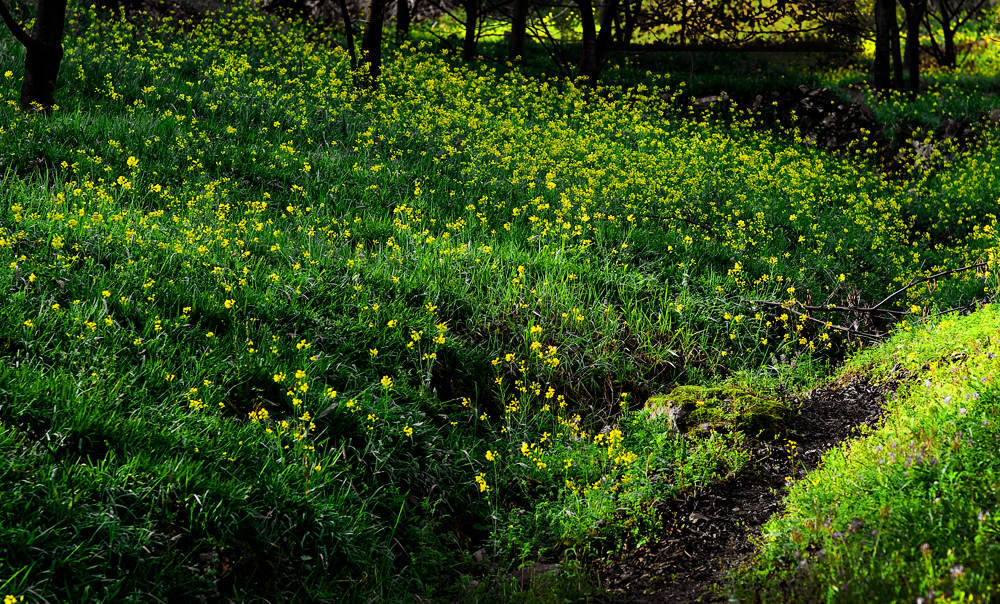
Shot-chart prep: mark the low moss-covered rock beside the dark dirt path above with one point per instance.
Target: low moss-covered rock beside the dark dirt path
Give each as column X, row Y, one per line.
column 720, row 408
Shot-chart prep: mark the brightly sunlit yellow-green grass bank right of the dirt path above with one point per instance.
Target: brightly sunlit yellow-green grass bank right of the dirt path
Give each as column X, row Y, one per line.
column 909, row 510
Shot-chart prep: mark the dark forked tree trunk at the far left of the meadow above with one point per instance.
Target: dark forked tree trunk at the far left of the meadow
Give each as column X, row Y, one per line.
column 43, row 52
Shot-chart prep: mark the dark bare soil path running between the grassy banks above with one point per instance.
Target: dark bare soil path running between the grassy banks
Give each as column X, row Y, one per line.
column 710, row 532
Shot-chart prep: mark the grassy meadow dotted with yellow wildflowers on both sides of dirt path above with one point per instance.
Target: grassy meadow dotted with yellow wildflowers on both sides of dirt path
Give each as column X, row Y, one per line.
column 266, row 335
